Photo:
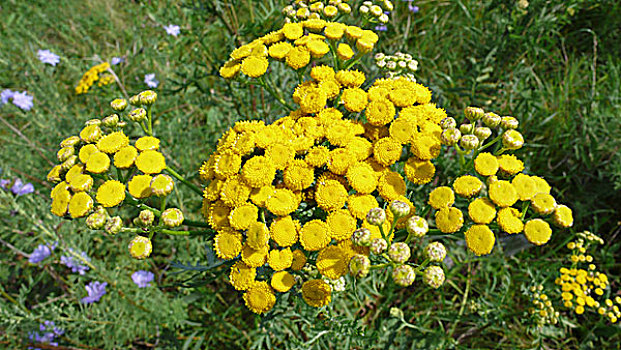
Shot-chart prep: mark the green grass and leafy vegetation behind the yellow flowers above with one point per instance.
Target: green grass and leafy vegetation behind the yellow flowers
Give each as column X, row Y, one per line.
column 554, row 65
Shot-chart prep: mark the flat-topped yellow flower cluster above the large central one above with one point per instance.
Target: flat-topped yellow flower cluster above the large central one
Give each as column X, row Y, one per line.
column 297, row 45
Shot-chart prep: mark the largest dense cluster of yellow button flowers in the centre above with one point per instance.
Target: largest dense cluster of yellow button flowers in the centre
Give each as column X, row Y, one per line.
column 265, row 180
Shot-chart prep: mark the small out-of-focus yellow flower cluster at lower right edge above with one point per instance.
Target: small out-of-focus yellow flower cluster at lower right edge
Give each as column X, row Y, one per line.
column 580, row 288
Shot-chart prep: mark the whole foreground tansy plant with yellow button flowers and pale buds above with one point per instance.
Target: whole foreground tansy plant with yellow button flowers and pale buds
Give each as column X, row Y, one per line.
column 325, row 191
